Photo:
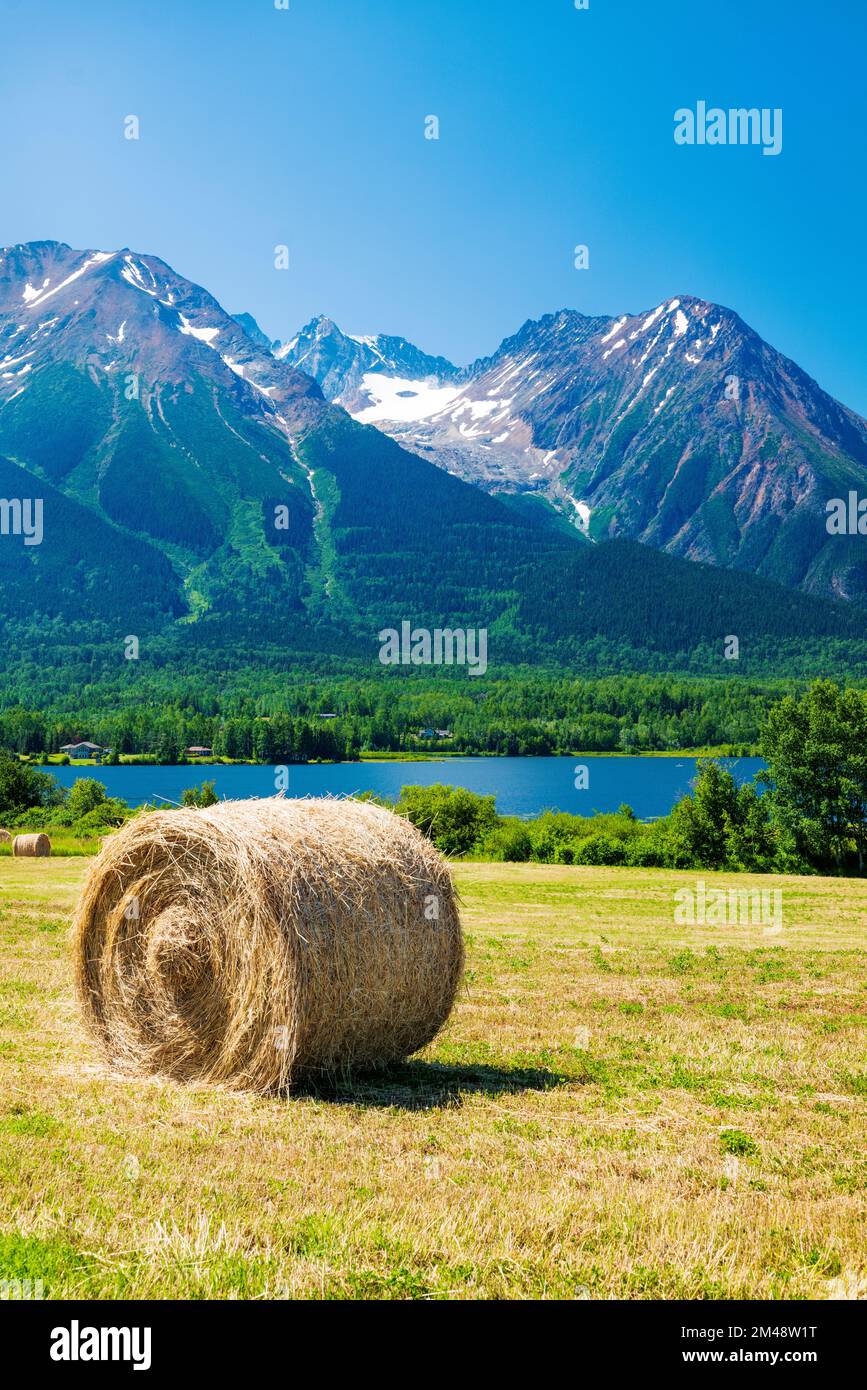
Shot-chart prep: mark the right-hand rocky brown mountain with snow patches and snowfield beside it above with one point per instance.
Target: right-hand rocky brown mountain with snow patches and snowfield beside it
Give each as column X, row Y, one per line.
column 679, row 427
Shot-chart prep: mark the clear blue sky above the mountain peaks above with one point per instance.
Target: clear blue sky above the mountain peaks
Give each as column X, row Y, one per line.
column 306, row 127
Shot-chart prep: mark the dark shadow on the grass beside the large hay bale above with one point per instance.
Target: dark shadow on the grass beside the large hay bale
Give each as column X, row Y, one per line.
column 429, row 1086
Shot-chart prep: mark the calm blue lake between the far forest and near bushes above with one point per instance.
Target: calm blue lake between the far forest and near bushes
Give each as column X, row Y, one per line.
column 522, row 786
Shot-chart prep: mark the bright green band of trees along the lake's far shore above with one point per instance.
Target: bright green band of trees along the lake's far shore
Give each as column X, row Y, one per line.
column 292, row 719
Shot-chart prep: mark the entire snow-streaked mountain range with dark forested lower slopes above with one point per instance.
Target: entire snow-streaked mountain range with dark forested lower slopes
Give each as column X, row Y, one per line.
column 205, row 486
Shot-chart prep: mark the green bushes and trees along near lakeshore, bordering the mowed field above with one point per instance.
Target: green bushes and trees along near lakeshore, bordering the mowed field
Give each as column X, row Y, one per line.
column 808, row 814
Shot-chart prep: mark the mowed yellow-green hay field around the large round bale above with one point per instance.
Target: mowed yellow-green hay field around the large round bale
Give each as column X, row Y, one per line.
column 620, row 1109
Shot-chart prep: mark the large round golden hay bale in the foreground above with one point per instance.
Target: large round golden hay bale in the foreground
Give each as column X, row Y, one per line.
column 262, row 943
